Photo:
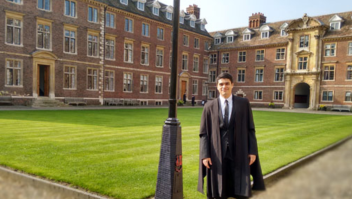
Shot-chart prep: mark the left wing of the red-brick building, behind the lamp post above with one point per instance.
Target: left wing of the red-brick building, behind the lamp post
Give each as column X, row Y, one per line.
column 98, row 50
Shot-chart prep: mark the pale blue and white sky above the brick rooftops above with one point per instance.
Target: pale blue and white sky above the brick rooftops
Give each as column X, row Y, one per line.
column 227, row 14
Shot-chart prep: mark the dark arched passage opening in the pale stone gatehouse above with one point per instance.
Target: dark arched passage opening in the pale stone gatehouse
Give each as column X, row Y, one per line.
column 302, row 95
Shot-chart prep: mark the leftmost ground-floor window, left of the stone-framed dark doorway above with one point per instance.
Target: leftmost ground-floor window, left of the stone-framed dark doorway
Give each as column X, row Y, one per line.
column 13, row 72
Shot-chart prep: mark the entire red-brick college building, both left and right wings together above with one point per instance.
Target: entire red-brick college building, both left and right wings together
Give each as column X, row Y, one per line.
column 122, row 49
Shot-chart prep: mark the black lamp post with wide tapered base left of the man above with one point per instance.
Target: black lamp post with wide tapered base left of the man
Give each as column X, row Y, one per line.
column 169, row 183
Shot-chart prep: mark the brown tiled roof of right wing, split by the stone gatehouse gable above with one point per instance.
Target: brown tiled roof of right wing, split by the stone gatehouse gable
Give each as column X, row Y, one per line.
column 275, row 36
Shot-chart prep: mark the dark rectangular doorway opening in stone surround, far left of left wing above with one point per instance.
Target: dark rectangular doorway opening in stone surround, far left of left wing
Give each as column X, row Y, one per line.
column 43, row 80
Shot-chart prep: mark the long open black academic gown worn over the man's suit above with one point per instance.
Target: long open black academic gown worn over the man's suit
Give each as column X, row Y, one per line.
column 244, row 142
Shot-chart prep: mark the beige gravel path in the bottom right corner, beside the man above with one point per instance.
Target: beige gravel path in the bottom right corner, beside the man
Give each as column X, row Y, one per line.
column 327, row 177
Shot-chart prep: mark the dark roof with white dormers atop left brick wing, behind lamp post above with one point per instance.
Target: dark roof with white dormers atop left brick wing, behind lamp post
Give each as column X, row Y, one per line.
column 132, row 7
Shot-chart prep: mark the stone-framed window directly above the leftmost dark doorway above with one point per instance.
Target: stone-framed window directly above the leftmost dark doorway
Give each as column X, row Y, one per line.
column 44, row 35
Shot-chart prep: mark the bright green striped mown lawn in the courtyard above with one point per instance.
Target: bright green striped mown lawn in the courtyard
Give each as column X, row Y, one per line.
column 116, row 152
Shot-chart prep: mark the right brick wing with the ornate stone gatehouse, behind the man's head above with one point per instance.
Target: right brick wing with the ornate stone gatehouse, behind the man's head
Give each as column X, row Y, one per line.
column 300, row 63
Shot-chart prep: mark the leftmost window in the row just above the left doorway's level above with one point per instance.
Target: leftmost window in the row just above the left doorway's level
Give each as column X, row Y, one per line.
column 13, row 30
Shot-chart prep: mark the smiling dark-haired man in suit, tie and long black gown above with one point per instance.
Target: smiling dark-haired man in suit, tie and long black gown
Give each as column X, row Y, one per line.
column 228, row 147
